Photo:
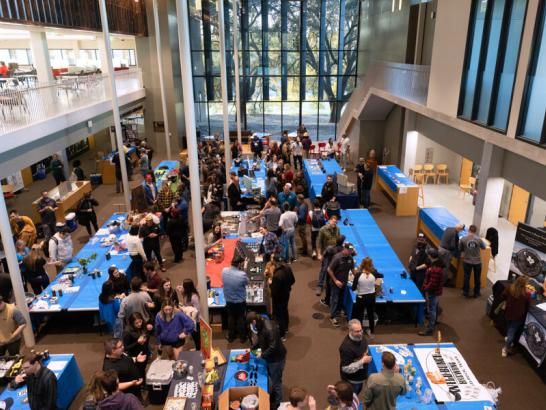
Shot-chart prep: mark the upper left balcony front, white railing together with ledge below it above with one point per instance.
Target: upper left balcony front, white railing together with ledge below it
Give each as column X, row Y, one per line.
column 37, row 110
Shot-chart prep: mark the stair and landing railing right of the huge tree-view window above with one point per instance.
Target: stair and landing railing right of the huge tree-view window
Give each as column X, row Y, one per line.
column 406, row 81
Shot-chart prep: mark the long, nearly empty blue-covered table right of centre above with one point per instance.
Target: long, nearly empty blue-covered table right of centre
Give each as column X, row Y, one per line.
column 362, row 231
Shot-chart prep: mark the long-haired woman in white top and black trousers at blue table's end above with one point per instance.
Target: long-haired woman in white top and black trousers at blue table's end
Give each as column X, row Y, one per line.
column 364, row 286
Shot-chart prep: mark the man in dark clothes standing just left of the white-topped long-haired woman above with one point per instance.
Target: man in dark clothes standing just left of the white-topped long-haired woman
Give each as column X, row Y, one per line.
column 338, row 270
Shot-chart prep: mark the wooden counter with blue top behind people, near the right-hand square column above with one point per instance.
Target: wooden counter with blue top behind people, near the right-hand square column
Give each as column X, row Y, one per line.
column 432, row 222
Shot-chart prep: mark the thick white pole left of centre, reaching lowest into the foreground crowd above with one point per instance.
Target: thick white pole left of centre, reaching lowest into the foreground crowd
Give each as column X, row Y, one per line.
column 191, row 137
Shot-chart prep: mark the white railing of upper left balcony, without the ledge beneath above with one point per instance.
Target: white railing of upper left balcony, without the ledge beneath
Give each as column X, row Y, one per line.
column 24, row 104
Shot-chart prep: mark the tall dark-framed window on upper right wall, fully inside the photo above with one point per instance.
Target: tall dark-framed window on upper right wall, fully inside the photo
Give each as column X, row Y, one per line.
column 493, row 45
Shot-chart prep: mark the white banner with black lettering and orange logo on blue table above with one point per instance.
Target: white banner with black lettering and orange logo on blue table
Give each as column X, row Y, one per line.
column 449, row 376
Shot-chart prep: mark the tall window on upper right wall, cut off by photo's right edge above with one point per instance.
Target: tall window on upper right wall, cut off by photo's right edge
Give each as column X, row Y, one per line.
column 533, row 117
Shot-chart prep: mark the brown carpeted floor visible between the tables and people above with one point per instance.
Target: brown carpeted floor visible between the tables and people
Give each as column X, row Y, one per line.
column 313, row 343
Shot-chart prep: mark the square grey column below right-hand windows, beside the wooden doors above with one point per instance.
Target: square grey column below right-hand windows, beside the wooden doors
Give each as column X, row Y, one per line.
column 490, row 187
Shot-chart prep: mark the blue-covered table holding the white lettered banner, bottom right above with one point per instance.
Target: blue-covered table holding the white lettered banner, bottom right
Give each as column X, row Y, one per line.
column 458, row 380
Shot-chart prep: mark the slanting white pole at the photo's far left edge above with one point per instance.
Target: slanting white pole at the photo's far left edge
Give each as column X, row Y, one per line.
column 15, row 272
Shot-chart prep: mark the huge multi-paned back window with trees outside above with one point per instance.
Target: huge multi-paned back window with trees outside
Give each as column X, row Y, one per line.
column 297, row 63
